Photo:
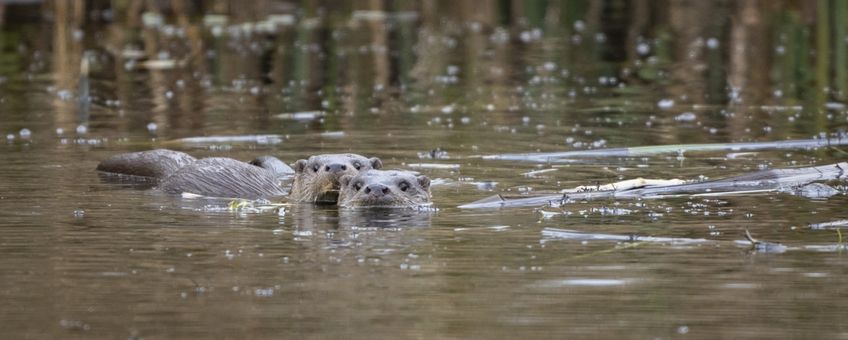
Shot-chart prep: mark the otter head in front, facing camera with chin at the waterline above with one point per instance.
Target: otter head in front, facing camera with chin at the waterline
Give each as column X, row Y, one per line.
column 384, row 189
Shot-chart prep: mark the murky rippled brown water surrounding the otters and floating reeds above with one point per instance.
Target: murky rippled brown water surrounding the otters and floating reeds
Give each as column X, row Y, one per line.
column 81, row 257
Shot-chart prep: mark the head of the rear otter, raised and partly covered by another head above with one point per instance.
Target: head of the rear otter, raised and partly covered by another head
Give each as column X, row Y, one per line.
column 317, row 179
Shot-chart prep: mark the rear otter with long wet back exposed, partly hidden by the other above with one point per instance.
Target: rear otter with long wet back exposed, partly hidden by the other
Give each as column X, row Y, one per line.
column 177, row 172
